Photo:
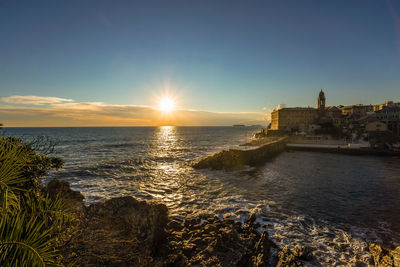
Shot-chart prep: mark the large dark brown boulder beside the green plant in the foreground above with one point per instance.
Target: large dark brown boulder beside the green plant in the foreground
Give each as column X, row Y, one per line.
column 121, row 231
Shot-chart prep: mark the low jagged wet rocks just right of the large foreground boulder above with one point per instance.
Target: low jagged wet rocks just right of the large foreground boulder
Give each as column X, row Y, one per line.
column 212, row 242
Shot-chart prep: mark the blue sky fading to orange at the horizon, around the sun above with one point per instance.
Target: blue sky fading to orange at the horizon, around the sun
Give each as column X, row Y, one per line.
column 95, row 63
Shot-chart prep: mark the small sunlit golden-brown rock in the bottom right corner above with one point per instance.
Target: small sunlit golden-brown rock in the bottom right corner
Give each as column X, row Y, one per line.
column 383, row 257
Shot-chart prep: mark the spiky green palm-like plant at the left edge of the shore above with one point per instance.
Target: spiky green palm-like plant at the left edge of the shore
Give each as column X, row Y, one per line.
column 31, row 223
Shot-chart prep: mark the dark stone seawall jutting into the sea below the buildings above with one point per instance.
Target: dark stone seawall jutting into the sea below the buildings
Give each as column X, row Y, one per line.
column 234, row 159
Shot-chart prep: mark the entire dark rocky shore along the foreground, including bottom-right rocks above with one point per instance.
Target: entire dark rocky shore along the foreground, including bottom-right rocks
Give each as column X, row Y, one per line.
column 125, row 231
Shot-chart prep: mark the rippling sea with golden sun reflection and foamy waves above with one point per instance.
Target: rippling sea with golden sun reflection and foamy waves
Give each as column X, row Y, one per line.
column 334, row 204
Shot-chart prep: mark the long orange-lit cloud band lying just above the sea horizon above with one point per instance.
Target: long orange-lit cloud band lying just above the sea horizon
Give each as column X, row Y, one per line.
column 101, row 114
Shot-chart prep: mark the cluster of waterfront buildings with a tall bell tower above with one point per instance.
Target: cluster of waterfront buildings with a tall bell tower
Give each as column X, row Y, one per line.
column 346, row 119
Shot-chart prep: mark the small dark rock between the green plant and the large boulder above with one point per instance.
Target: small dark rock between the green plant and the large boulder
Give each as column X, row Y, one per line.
column 73, row 199
